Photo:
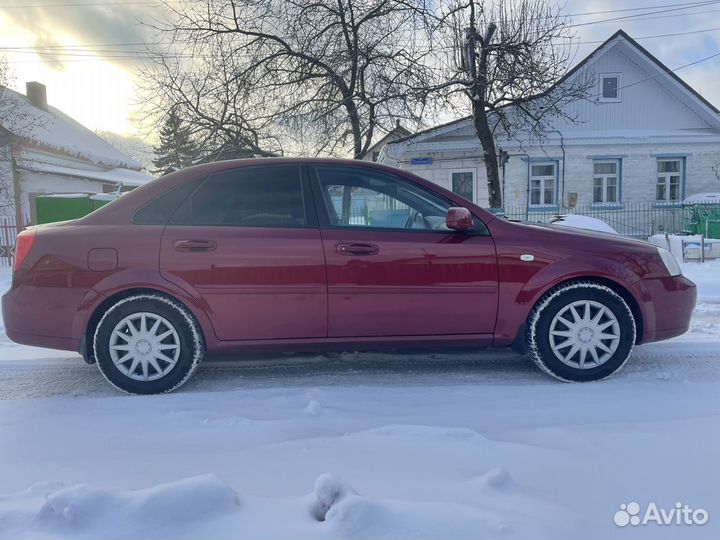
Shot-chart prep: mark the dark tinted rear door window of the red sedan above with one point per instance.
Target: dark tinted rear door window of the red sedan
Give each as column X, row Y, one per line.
column 247, row 197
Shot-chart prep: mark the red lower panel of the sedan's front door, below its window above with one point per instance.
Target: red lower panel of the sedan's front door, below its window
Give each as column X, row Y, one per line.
column 447, row 284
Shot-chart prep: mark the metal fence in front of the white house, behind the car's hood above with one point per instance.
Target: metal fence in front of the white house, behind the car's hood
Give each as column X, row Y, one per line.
column 639, row 220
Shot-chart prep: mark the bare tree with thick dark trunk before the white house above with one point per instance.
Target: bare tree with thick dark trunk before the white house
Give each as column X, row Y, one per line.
column 508, row 58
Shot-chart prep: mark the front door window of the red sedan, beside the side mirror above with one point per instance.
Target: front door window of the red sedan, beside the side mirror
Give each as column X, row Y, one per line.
column 360, row 197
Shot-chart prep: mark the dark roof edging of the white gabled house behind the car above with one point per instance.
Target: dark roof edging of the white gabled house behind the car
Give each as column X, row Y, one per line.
column 453, row 124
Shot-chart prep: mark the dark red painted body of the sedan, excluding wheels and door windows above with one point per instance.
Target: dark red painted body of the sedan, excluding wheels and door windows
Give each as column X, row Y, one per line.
column 292, row 289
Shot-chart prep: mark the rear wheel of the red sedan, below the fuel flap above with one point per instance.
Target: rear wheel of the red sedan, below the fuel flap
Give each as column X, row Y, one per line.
column 148, row 344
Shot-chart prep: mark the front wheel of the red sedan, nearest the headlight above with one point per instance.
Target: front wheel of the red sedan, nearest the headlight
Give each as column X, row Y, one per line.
column 581, row 332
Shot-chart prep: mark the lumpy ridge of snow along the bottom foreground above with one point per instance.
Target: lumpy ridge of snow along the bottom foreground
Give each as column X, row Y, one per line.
column 205, row 506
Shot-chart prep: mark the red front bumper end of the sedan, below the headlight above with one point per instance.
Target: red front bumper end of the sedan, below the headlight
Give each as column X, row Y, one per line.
column 669, row 303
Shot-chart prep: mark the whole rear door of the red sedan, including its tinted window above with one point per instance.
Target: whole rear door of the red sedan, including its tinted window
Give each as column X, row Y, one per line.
column 247, row 243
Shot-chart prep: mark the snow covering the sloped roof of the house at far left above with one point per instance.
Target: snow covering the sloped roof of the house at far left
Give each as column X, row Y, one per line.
column 54, row 129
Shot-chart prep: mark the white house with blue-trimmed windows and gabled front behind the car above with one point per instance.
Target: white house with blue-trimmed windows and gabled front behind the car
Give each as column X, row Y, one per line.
column 645, row 137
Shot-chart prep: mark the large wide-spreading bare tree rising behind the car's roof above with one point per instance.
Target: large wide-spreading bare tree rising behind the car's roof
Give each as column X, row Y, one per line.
column 329, row 73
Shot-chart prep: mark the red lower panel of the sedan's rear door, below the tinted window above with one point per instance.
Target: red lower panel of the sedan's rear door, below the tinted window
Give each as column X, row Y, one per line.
column 258, row 283
